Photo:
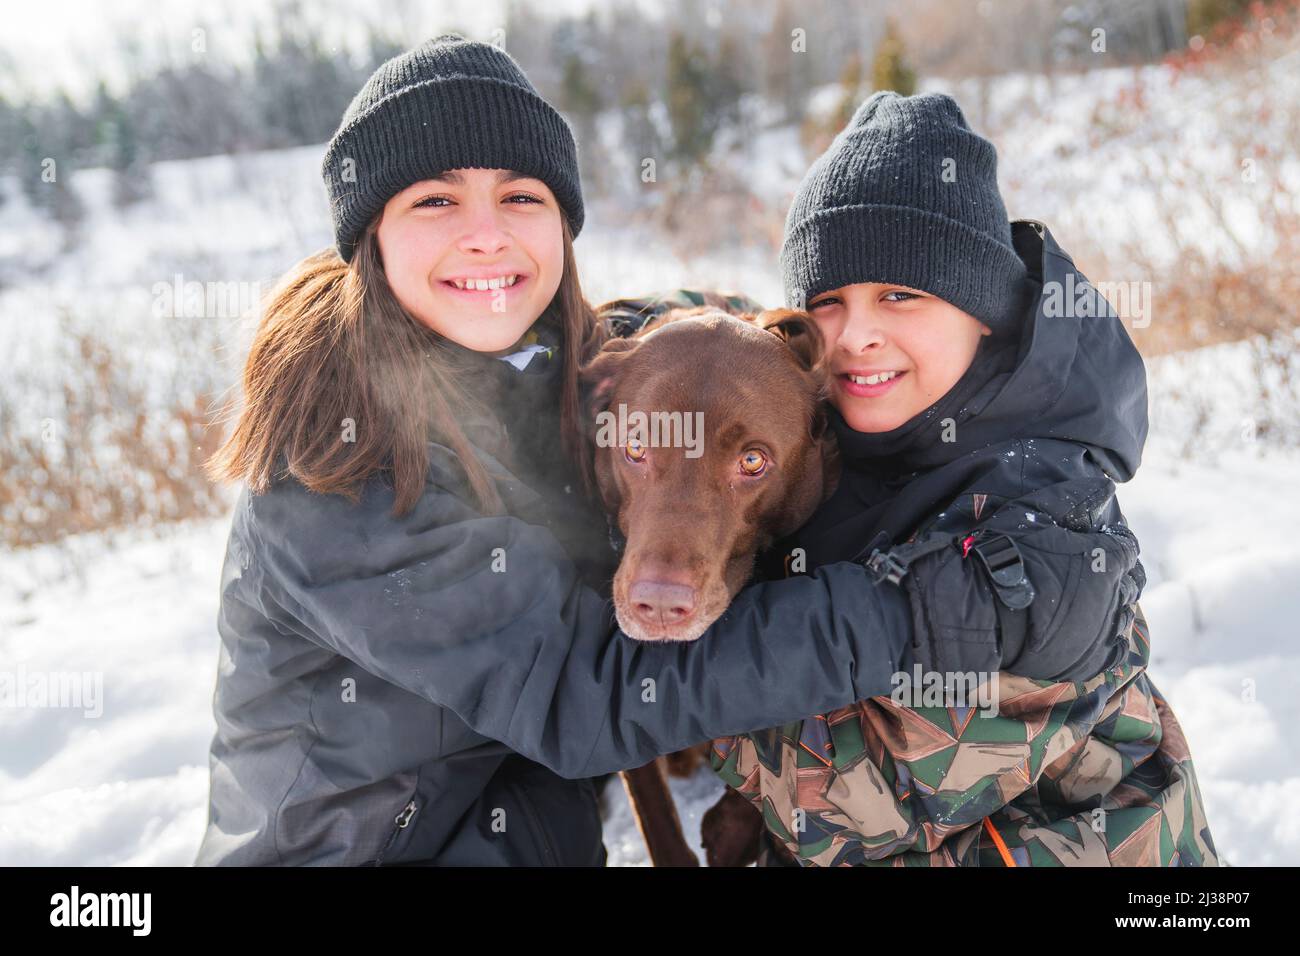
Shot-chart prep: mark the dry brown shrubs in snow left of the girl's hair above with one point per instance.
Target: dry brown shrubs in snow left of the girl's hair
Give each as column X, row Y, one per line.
column 109, row 436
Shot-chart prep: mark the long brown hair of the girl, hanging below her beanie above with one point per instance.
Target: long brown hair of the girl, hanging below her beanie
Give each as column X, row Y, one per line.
column 336, row 347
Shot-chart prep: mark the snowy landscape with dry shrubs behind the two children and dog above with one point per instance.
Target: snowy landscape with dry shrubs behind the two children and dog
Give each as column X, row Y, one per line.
column 1176, row 167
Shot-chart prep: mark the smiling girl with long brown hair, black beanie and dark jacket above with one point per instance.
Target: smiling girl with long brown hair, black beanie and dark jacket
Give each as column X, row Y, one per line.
column 414, row 602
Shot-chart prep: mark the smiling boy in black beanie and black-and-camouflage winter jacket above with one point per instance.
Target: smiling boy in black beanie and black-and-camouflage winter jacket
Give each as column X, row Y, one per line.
column 977, row 426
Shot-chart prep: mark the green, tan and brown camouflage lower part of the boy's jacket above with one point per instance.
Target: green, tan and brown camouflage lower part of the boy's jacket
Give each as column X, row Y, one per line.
column 1060, row 775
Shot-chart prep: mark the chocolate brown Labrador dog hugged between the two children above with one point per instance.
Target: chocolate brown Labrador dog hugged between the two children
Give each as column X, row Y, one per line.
column 710, row 443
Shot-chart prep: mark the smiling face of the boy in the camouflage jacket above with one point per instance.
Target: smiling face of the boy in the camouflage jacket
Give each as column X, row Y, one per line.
column 895, row 351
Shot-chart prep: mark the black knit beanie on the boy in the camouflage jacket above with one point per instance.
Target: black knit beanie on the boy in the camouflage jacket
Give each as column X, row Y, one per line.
column 907, row 194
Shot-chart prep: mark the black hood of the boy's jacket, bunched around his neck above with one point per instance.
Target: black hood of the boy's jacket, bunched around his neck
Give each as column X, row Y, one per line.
column 1073, row 374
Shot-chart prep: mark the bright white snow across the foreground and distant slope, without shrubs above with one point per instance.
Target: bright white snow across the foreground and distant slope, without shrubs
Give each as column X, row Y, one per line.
column 124, row 780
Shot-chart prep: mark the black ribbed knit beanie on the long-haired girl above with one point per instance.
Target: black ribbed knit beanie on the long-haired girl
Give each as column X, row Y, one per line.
column 448, row 105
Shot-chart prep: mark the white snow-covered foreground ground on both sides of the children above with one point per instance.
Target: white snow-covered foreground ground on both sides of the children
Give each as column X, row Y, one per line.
column 129, row 786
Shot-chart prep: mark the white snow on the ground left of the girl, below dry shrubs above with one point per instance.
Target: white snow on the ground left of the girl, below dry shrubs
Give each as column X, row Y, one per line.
column 128, row 788
